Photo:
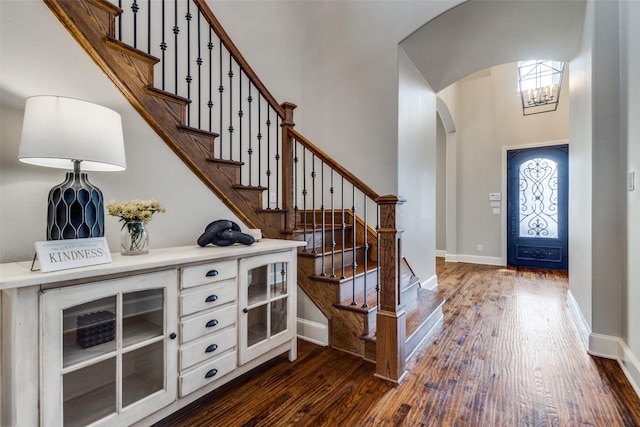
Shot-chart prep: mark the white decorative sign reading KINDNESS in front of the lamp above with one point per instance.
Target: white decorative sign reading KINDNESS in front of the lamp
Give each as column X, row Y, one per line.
column 57, row 255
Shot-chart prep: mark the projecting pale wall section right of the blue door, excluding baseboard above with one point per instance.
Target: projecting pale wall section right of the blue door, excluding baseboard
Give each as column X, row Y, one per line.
column 596, row 176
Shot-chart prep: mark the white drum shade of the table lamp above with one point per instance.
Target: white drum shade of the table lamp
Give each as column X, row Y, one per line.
column 58, row 130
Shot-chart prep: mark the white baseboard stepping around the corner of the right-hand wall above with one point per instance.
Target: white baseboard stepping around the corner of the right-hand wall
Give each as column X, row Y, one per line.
column 606, row 346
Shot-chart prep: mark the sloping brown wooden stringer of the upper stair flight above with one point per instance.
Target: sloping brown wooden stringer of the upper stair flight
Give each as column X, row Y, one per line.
column 92, row 24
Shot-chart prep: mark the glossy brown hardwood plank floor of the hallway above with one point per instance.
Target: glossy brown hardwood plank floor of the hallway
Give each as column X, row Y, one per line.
column 508, row 355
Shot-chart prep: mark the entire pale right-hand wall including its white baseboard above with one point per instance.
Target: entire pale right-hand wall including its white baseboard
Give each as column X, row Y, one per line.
column 604, row 242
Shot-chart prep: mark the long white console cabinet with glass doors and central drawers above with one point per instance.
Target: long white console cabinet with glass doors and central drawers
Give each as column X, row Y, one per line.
column 133, row 341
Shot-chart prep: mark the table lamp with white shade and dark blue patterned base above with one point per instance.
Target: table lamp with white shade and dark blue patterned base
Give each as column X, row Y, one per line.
column 69, row 133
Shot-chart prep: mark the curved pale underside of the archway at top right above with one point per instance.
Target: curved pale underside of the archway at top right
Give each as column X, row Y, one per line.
column 479, row 34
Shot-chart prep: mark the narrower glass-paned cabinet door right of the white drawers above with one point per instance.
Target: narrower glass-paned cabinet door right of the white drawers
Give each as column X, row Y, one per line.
column 265, row 298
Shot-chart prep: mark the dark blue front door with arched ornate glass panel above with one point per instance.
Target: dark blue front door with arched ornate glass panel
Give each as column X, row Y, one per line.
column 537, row 190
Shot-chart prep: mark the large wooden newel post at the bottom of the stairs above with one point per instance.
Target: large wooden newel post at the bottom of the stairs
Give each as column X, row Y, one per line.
column 390, row 320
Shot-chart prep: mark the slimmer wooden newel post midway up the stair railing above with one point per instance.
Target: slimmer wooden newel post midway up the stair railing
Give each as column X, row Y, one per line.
column 288, row 197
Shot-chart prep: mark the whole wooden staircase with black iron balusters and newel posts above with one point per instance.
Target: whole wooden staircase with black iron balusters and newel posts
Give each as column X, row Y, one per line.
column 351, row 269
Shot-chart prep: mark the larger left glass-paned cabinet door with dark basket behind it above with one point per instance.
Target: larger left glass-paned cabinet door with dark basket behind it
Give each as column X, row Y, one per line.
column 111, row 351
